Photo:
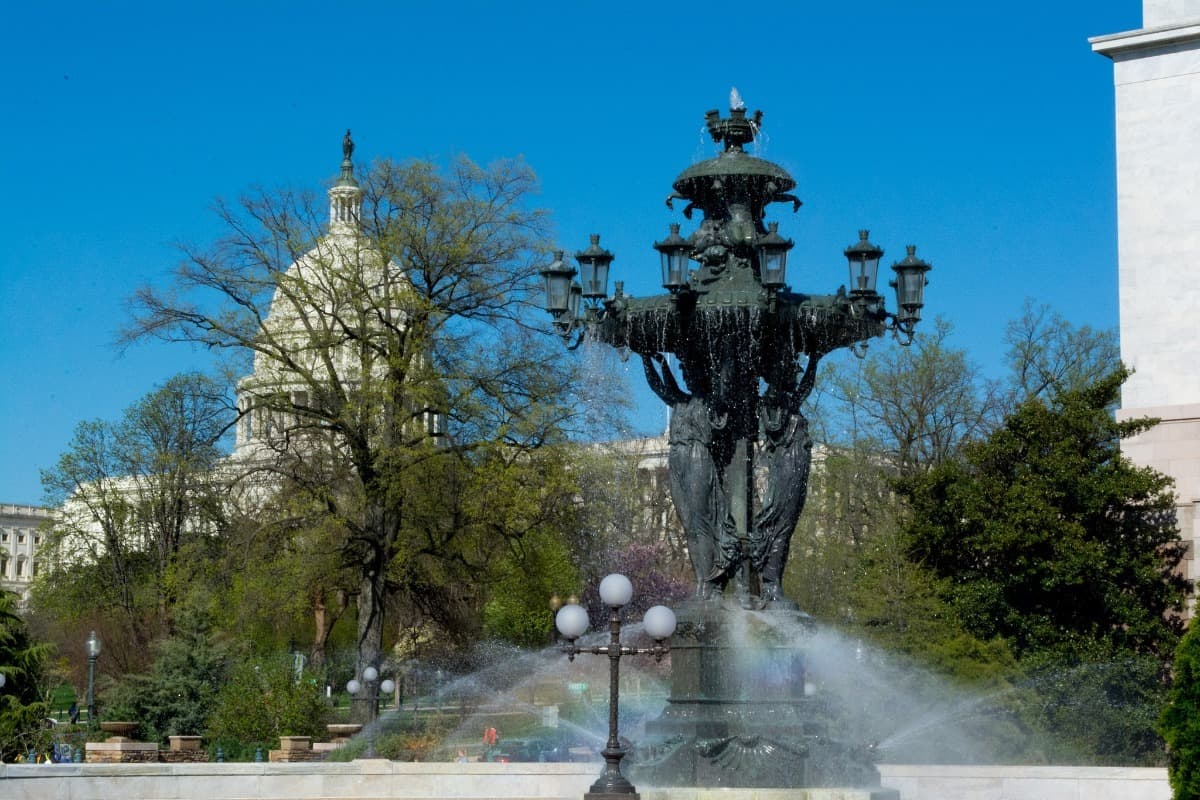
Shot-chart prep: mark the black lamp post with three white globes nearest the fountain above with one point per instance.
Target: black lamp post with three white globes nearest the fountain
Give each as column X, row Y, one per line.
column 572, row 621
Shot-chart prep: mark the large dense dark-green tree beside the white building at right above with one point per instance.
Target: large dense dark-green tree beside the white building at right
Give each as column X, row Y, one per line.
column 1048, row 537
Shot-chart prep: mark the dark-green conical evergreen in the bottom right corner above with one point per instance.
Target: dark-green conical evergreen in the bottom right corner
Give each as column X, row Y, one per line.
column 1180, row 721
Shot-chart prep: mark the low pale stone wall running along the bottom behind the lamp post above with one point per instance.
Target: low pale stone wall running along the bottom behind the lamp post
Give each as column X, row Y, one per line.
column 483, row 781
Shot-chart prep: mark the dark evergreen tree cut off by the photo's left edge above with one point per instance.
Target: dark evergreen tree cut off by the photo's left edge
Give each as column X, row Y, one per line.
column 23, row 700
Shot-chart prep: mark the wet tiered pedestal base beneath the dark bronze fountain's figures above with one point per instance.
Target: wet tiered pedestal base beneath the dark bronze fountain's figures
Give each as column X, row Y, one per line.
column 740, row 717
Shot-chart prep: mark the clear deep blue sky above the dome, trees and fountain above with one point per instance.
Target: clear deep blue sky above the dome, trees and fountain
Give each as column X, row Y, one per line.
column 981, row 133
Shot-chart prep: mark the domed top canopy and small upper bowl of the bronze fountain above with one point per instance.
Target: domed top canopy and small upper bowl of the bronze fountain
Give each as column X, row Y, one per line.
column 734, row 177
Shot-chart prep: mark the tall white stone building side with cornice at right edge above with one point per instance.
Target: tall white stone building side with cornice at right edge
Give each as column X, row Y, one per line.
column 1157, row 85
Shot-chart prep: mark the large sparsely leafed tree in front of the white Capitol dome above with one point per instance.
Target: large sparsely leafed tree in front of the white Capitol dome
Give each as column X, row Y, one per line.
column 394, row 360
